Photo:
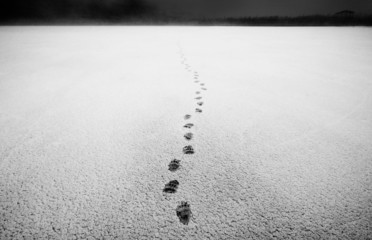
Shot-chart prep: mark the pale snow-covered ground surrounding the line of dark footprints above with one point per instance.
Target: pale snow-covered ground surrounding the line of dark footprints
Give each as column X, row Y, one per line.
column 90, row 118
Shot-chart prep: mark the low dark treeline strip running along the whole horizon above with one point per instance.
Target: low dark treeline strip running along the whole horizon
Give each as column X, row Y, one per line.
column 159, row 20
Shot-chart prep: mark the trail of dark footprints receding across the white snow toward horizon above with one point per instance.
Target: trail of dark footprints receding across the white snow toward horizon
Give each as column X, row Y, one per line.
column 183, row 210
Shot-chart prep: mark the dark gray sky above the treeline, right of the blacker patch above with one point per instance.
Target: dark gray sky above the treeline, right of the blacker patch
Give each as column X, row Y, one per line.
column 228, row 8
